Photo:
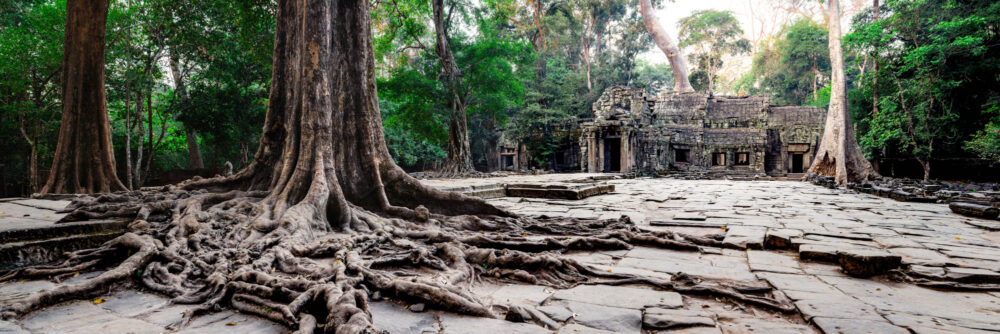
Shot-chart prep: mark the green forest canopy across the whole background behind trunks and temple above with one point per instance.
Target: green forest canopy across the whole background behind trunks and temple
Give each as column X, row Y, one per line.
column 186, row 77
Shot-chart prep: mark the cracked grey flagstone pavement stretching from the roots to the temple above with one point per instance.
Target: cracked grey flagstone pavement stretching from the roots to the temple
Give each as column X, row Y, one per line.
column 751, row 219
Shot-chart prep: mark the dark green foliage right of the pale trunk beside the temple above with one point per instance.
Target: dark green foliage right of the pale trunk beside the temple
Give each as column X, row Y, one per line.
column 937, row 64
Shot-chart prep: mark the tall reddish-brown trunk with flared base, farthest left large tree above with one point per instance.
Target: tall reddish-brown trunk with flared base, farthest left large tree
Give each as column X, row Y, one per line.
column 83, row 161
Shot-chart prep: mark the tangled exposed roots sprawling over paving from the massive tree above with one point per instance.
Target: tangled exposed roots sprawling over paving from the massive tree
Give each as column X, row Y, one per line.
column 203, row 248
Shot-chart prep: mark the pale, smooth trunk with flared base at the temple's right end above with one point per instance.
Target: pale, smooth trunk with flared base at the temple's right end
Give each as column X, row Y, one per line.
column 838, row 154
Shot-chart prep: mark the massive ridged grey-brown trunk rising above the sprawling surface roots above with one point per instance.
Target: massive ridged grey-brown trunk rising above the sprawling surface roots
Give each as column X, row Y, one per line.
column 323, row 149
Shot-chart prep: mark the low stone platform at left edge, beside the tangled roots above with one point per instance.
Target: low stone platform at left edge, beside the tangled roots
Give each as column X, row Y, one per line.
column 30, row 235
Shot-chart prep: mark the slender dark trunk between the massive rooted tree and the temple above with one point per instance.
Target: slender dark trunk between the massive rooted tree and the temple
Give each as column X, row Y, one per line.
column 459, row 160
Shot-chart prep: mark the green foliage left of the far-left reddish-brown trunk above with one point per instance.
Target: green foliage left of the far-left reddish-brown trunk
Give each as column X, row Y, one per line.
column 31, row 42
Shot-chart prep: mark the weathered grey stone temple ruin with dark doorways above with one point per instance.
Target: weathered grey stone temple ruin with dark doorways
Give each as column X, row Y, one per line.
column 632, row 132
